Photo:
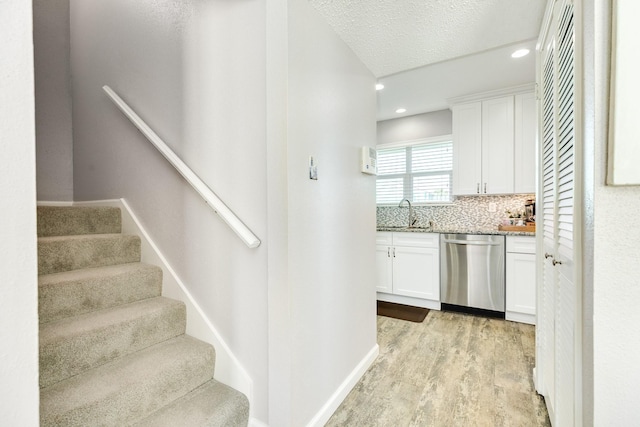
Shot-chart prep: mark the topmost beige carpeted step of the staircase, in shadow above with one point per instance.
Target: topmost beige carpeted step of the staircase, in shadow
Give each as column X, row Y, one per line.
column 73, row 220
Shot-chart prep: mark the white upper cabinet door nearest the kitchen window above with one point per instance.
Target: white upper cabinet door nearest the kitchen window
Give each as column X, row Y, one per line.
column 467, row 148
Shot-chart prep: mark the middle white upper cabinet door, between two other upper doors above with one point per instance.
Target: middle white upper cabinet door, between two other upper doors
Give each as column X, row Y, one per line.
column 497, row 146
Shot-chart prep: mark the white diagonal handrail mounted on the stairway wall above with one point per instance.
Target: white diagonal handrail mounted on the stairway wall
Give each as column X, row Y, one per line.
column 189, row 175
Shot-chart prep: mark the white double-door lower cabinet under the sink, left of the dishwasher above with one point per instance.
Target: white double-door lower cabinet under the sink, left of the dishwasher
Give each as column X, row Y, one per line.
column 409, row 268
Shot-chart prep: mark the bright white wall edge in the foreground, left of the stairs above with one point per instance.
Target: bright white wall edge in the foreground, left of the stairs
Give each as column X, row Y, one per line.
column 19, row 287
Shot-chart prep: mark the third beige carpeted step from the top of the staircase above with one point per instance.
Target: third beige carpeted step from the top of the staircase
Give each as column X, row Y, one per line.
column 75, row 292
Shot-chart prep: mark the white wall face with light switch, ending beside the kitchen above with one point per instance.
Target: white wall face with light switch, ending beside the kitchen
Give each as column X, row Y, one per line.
column 331, row 221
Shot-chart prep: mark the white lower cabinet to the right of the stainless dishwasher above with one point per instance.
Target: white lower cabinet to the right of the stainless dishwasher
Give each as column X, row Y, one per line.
column 521, row 279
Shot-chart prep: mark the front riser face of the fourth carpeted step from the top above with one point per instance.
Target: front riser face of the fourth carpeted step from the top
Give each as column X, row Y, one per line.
column 63, row 356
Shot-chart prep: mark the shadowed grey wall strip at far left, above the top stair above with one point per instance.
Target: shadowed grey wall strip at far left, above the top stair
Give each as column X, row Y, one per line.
column 54, row 148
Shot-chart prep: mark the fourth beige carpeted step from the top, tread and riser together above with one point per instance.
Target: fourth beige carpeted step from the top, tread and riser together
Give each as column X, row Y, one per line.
column 75, row 344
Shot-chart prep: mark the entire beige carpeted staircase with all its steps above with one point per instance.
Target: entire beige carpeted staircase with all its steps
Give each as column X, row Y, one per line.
column 113, row 352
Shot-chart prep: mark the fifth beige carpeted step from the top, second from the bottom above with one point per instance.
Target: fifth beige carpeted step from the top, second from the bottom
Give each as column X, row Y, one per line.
column 131, row 388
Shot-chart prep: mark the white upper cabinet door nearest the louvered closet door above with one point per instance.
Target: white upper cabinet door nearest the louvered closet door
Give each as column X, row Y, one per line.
column 525, row 143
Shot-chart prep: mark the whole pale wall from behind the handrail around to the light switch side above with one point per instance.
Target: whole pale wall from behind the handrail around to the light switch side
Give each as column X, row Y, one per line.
column 299, row 311
